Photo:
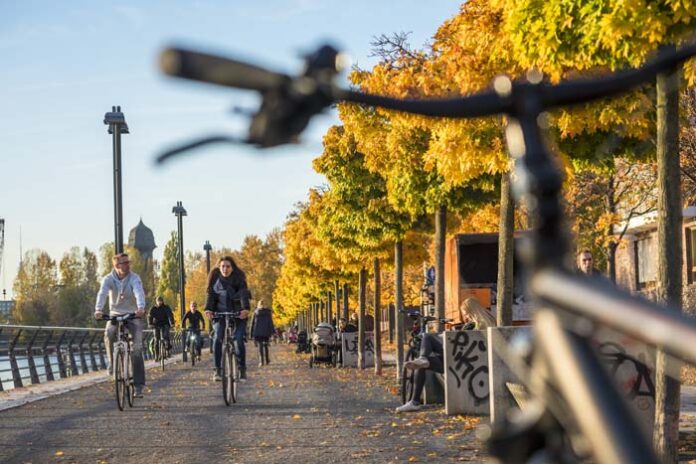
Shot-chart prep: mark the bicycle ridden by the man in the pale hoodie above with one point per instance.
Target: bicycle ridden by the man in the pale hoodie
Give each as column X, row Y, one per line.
column 121, row 362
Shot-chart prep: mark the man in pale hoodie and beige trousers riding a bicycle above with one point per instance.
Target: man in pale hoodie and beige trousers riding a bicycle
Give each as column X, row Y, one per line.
column 126, row 296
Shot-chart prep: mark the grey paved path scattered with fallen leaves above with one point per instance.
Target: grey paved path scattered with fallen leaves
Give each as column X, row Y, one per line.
column 286, row 413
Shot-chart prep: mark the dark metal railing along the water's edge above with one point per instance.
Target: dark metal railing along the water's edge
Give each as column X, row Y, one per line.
column 30, row 355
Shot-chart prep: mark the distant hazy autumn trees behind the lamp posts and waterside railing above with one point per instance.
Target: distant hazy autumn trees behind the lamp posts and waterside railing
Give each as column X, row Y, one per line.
column 62, row 293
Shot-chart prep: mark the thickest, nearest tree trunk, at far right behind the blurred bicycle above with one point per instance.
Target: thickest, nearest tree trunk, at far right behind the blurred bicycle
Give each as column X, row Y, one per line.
column 669, row 272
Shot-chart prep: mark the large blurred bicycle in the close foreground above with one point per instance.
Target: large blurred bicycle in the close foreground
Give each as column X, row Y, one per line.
column 574, row 401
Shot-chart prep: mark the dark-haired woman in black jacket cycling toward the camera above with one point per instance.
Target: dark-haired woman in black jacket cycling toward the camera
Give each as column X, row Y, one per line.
column 227, row 292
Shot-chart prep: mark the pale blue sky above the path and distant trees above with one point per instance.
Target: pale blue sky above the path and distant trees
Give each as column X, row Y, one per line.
column 66, row 63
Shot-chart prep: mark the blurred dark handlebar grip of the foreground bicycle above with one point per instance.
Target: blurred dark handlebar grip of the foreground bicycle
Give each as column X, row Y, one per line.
column 213, row 69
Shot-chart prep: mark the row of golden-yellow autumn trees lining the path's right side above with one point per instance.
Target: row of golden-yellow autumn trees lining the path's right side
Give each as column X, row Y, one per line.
column 393, row 178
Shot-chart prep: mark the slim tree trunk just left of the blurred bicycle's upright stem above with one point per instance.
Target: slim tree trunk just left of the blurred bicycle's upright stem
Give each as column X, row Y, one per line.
column 506, row 250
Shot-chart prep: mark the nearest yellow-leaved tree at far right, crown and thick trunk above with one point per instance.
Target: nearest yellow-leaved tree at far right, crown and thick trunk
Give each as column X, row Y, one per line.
column 566, row 37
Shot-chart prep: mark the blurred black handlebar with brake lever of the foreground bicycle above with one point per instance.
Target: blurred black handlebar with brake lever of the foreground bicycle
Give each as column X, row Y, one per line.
column 288, row 103
